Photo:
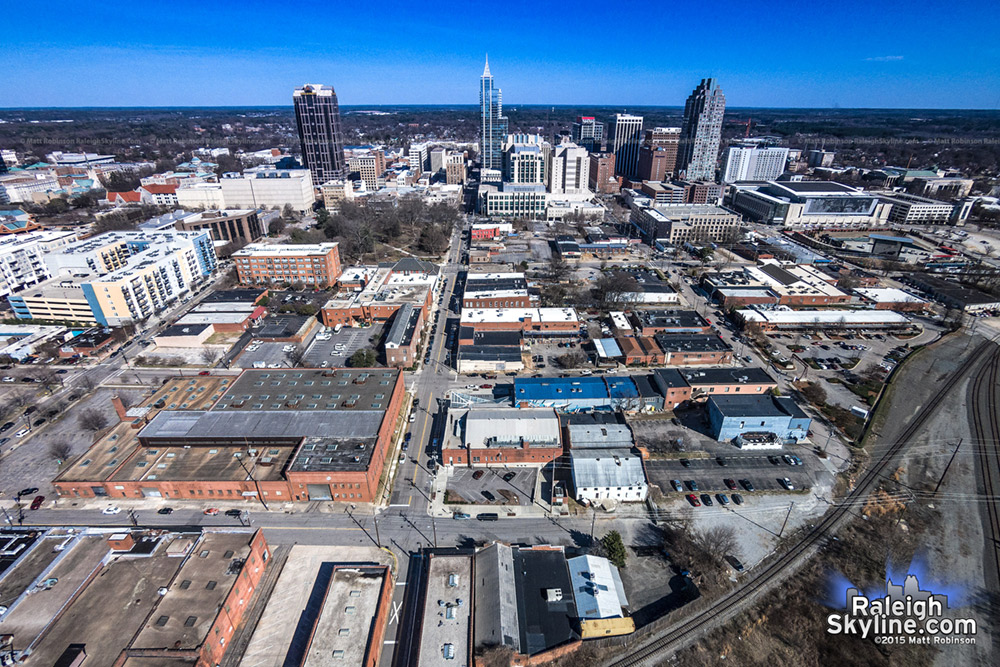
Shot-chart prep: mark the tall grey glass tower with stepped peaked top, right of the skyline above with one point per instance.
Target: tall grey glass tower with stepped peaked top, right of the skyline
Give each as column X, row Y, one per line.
column 702, row 131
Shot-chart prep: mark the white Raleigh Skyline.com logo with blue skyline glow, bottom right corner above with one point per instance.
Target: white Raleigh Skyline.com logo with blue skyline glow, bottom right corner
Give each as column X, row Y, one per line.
column 904, row 615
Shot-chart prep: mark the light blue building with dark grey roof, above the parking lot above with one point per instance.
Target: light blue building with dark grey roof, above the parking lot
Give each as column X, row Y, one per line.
column 733, row 416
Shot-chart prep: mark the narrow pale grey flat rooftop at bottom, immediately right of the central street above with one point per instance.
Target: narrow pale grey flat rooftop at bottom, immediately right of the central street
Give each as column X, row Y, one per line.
column 449, row 579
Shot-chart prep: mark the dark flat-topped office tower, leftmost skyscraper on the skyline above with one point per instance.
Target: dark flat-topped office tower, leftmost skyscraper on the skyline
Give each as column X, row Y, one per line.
column 318, row 119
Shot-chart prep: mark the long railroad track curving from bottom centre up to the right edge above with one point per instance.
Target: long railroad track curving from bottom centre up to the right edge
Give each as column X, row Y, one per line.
column 736, row 601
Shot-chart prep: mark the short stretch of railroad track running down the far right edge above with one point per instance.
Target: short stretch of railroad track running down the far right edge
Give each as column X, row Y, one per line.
column 986, row 430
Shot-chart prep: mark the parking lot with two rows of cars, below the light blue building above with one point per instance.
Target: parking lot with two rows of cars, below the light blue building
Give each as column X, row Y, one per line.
column 708, row 475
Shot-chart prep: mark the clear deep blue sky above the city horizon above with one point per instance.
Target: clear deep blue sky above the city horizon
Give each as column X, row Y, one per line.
column 219, row 52
